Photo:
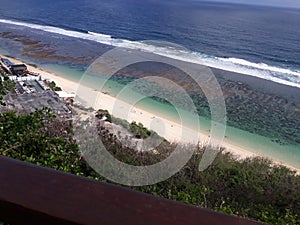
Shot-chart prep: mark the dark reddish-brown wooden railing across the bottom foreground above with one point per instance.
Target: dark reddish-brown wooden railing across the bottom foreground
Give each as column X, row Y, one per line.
column 32, row 195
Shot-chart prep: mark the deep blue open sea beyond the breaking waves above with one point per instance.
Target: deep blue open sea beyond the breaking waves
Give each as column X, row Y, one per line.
column 262, row 40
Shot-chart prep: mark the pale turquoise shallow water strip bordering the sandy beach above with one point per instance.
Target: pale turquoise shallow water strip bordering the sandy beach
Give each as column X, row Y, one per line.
column 289, row 154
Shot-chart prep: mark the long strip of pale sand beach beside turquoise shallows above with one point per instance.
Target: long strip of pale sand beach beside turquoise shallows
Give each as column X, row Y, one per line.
column 170, row 130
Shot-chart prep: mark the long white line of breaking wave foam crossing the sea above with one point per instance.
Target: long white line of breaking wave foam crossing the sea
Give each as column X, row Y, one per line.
column 285, row 76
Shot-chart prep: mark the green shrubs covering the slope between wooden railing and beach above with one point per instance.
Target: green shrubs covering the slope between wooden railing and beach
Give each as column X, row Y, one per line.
column 252, row 188
